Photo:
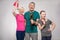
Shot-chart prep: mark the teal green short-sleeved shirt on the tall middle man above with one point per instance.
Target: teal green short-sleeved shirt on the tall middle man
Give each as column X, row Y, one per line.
column 31, row 28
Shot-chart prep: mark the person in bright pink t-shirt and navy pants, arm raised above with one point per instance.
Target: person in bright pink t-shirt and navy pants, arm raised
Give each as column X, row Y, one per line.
column 20, row 31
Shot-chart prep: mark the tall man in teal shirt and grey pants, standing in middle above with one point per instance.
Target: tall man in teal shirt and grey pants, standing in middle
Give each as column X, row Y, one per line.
column 31, row 17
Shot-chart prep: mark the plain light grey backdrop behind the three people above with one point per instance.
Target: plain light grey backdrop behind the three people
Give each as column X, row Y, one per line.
column 8, row 22
